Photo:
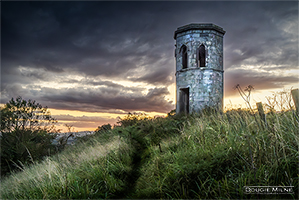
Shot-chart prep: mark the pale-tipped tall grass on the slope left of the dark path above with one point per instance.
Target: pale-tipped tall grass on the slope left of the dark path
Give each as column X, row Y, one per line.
column 93, row 171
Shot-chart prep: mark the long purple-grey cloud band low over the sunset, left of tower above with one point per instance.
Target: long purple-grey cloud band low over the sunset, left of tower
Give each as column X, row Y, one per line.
column 107, row 98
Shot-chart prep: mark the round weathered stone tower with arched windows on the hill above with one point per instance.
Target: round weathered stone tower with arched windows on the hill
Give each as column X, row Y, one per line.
column 199, row 67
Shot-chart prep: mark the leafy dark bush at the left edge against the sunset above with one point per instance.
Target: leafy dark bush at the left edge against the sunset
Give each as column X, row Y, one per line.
column 25, row 134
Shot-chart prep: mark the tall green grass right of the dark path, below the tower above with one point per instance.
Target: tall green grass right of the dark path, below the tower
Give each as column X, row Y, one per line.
column 217, row 155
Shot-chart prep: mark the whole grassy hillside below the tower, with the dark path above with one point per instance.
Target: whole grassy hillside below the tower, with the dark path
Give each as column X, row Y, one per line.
column 212, row 155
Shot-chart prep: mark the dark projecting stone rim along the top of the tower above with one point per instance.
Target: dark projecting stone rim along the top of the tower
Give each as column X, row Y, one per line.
column 193, row 26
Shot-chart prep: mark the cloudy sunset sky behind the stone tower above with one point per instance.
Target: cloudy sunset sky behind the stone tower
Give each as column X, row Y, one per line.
column 92, row 62
